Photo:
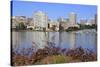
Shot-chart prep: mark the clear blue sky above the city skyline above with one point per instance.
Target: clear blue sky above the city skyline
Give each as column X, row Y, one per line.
column 53, row 10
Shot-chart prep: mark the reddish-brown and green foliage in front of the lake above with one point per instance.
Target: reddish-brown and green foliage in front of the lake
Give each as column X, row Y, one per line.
column 52, row 55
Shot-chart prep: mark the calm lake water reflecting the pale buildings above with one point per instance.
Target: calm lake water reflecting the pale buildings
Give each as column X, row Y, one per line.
column 70, row 40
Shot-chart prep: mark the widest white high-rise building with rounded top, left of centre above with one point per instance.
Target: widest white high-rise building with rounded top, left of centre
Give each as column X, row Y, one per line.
column 40, row 20
